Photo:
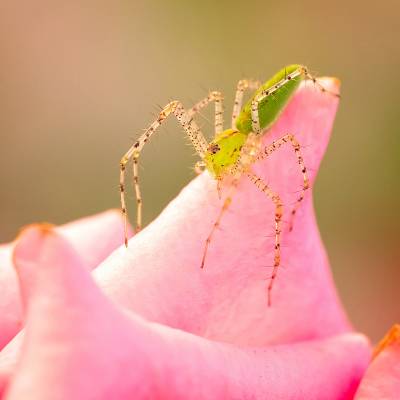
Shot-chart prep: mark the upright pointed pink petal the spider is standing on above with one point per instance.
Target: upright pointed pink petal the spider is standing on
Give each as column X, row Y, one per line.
column 159, row 276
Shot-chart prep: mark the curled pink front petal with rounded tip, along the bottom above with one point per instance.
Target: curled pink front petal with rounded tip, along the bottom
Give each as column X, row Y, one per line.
column 79, row 345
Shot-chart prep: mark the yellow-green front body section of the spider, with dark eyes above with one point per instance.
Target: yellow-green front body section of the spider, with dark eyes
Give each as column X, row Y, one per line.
column 223, row 152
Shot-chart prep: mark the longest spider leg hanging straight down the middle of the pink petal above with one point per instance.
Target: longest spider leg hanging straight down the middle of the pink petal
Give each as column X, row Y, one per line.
column 278, row 219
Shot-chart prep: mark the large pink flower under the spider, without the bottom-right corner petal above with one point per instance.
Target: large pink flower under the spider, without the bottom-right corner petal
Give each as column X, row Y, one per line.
column 150, row 324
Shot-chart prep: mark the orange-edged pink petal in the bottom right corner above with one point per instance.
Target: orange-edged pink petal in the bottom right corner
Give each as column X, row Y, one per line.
column 382, row 379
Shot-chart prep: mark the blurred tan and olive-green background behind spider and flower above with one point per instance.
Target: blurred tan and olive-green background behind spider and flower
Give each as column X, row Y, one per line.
column 80, row 80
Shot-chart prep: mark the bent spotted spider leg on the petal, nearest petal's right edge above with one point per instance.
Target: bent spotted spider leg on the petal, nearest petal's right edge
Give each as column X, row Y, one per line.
column 267, row 151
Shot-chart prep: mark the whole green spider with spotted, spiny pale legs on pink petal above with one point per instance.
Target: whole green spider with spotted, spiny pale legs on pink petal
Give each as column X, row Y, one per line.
column 233, row 151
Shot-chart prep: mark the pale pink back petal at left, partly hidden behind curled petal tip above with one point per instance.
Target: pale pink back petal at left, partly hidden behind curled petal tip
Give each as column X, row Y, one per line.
column 93, row 237
